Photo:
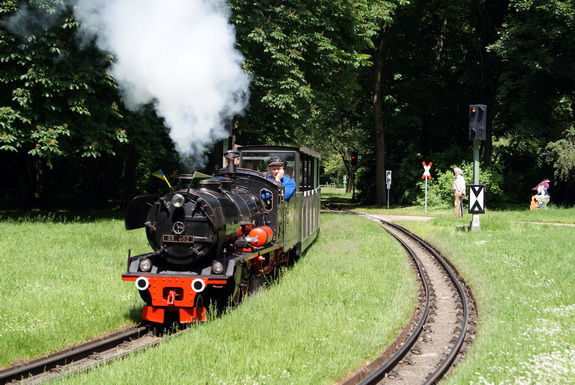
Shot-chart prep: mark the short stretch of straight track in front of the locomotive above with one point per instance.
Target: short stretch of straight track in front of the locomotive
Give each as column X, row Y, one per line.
column 81, row 357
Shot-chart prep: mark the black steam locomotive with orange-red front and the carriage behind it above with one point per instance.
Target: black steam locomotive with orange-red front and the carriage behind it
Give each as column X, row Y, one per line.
column 217, row 238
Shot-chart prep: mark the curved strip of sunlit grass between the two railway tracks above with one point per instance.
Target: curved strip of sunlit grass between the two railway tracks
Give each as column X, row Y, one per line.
column 340, row 305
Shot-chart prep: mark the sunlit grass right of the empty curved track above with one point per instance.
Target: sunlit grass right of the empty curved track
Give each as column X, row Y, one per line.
column 523, row 277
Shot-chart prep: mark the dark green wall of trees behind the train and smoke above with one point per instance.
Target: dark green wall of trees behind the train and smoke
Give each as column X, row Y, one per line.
column 391, row 80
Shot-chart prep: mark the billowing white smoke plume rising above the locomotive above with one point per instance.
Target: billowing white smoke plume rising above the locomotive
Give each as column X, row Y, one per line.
column 177, row 54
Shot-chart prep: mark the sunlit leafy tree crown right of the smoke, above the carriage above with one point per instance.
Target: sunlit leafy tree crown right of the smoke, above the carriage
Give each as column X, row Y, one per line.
column 306, row 60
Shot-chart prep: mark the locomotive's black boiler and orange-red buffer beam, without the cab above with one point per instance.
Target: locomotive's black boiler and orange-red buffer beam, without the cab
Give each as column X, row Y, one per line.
column 201, row 242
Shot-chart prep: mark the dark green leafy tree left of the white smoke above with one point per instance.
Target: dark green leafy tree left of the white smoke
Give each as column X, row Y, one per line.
column 59, row 103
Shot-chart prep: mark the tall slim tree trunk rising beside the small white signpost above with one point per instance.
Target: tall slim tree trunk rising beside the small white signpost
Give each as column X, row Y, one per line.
column 380, row 186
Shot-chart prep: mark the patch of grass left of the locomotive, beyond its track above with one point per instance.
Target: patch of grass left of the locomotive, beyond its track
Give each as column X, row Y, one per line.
column 60, row 282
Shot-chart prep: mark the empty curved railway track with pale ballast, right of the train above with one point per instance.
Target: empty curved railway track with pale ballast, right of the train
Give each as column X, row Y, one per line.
column 441, row 329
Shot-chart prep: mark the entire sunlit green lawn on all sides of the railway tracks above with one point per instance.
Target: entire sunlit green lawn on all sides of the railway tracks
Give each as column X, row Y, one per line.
column 60, row 283
